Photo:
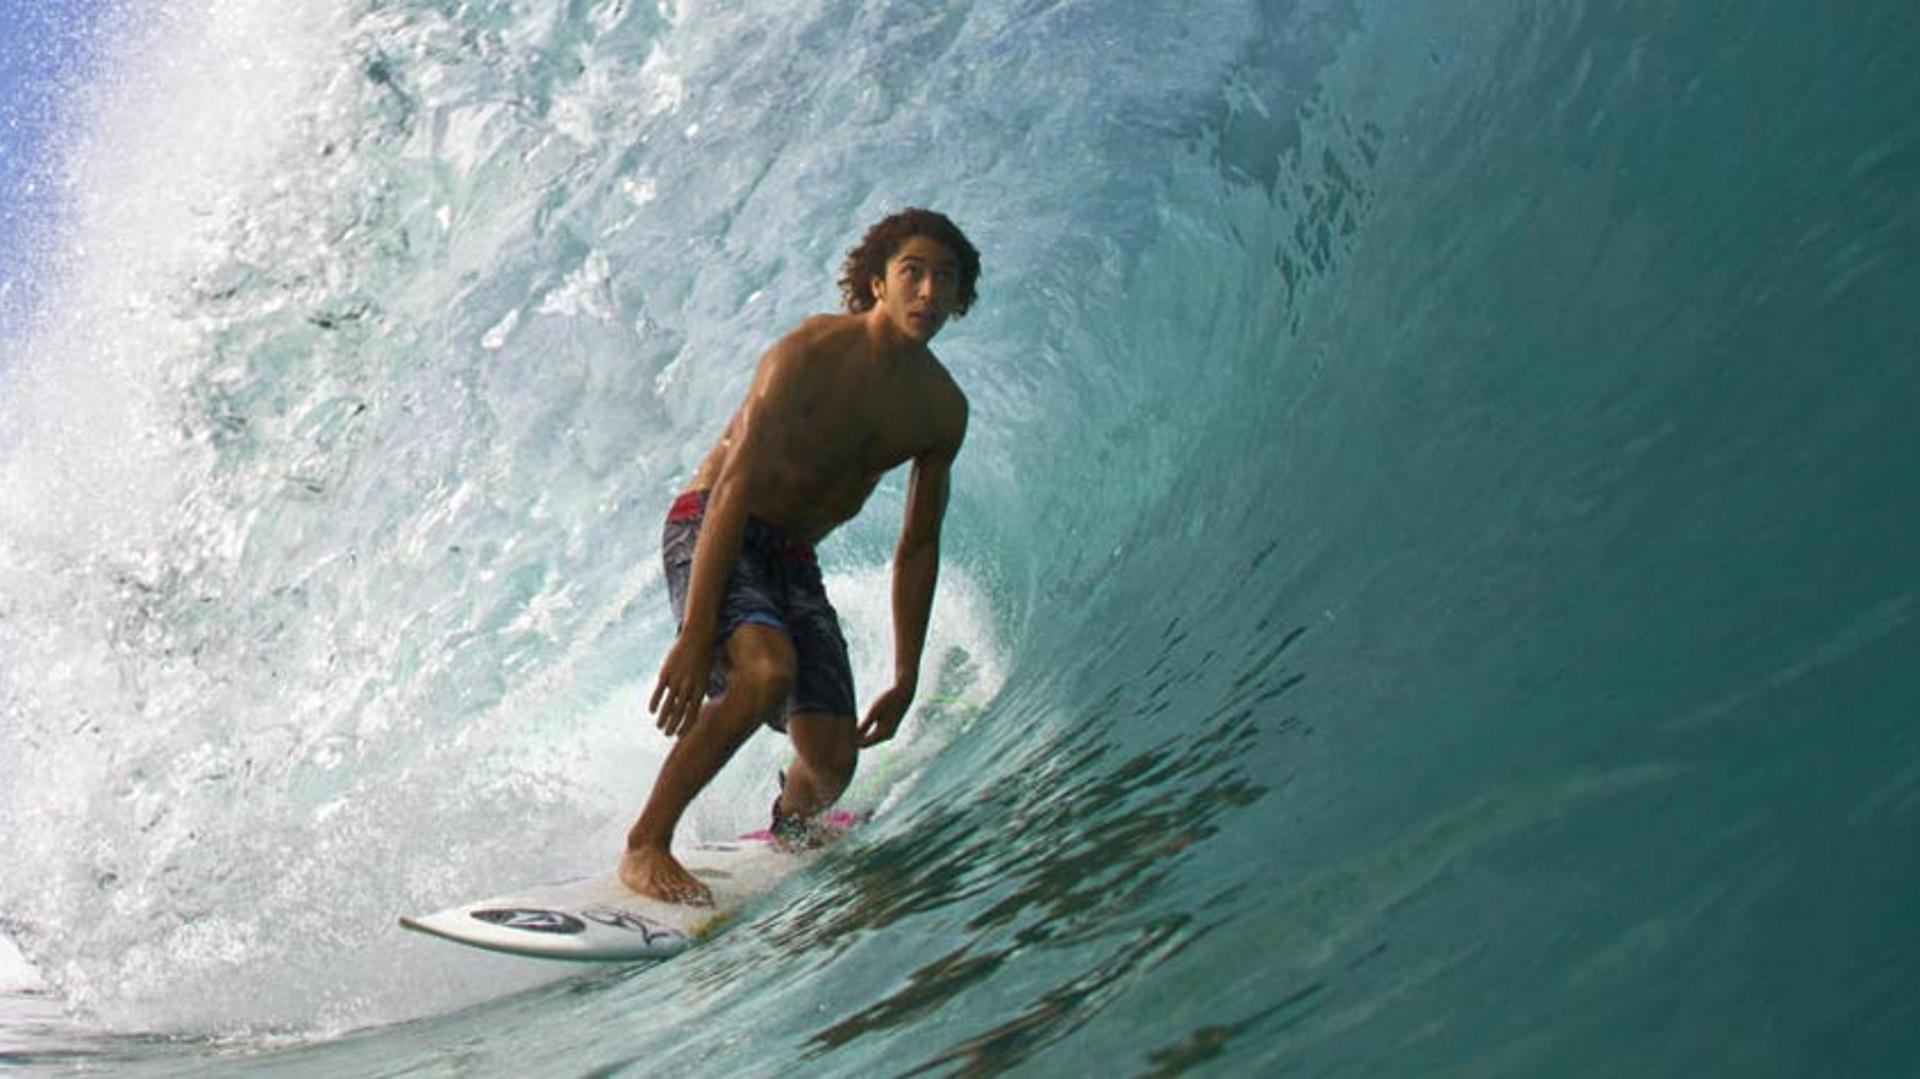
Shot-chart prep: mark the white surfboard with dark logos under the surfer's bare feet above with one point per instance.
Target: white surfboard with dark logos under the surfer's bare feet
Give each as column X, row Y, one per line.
column 600, row 921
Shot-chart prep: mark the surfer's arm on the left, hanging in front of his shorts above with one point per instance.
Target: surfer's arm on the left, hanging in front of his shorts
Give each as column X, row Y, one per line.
column 754, row 439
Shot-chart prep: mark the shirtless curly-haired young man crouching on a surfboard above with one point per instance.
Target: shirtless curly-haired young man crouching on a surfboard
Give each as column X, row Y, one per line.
column 832, row 408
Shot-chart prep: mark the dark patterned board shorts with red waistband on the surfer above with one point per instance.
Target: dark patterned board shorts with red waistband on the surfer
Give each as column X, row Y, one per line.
column 777, row 583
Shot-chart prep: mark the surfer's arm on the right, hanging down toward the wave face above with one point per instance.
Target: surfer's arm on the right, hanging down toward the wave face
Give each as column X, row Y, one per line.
column 917, row 569
